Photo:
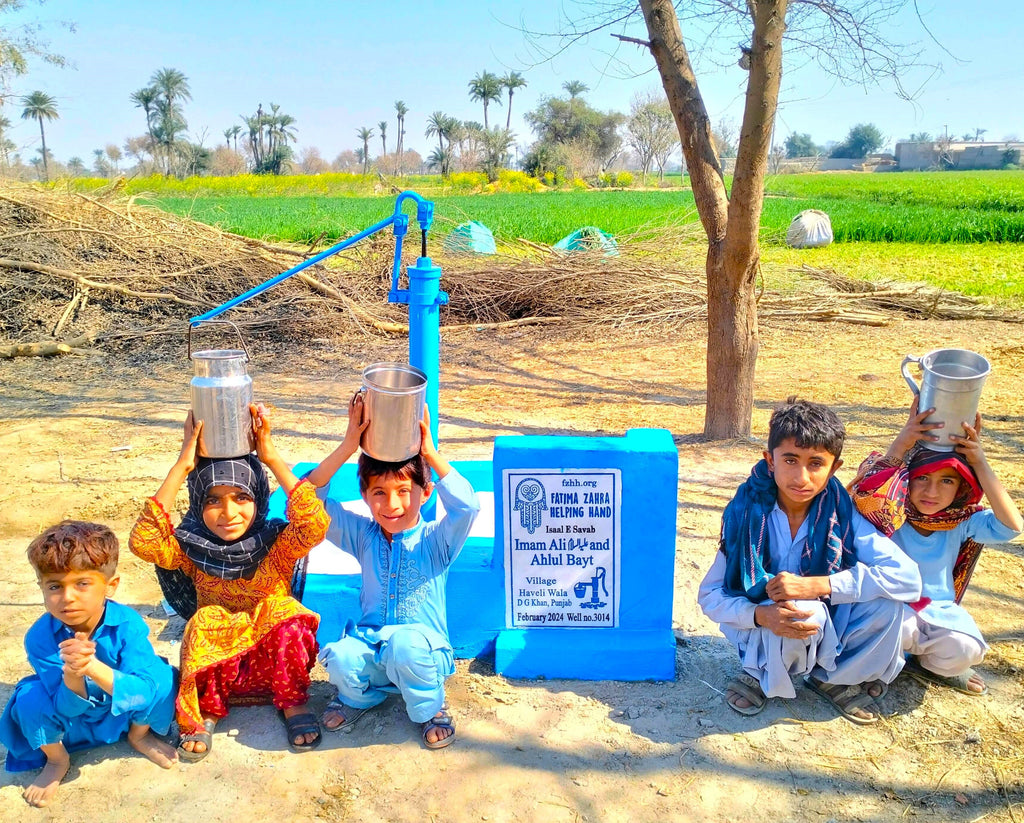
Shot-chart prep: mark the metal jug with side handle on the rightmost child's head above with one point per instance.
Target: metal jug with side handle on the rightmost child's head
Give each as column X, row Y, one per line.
column 952, row 382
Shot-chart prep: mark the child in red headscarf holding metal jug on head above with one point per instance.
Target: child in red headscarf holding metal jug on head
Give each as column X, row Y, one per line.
column 928, row 501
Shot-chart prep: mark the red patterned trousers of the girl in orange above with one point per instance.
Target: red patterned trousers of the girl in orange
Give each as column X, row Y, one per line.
column 278, row 669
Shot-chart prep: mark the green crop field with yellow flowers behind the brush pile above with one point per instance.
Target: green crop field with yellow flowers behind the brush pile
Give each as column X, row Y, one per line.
column 962, row 231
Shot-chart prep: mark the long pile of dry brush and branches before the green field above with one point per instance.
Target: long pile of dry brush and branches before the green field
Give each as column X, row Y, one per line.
column 84, row 272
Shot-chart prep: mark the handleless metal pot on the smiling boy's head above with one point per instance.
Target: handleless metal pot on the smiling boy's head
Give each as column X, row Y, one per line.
column 394, row 396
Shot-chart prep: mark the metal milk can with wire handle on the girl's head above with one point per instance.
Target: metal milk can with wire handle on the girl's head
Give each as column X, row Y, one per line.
column 222, row 392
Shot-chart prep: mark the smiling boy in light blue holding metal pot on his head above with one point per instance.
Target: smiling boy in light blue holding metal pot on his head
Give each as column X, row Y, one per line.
column 401, row 643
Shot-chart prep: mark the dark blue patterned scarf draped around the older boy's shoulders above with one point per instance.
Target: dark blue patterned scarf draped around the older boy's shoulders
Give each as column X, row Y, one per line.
column 746, row 533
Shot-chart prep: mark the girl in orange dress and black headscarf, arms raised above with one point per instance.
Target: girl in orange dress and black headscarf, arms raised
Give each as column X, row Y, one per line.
column 249, row 641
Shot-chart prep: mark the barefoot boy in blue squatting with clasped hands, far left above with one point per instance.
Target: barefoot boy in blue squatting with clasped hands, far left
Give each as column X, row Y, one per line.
column 98, row 678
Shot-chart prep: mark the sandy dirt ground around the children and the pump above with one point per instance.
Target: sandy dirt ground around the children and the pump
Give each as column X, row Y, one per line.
column 536, row 751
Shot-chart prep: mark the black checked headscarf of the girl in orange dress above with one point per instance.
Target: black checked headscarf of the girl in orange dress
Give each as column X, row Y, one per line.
column 230, row 561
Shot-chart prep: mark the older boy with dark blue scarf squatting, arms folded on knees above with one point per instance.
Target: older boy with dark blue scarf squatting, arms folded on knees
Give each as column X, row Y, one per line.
column 803, row 585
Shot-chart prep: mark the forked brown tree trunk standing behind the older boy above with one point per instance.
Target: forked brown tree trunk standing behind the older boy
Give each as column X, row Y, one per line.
column 731, row 224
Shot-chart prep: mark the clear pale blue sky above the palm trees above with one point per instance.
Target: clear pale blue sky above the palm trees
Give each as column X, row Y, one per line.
column 338, row 66
